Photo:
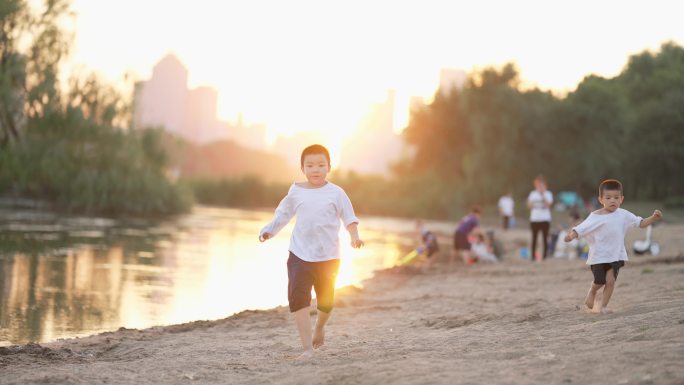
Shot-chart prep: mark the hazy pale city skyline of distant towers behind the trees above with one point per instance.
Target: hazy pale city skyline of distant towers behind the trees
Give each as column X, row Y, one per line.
column 165, row 100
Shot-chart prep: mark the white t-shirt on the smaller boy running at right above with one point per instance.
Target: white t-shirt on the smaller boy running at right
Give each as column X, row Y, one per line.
column 605, row 234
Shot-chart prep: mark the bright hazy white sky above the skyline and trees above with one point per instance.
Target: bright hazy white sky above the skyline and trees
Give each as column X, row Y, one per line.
column 316, row 64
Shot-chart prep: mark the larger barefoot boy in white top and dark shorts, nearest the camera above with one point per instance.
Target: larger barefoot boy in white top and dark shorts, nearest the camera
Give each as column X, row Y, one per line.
column 314, row 258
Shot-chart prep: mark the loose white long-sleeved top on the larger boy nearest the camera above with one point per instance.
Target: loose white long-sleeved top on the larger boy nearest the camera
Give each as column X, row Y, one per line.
column 315, row 237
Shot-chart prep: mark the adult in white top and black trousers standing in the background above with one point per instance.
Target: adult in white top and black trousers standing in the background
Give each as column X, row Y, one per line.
column 539, row 202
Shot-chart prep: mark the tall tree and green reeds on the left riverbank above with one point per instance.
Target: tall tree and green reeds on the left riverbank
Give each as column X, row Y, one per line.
column 69, row 148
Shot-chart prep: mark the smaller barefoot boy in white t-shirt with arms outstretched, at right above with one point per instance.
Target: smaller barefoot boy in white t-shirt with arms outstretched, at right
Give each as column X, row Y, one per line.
column 605, row 230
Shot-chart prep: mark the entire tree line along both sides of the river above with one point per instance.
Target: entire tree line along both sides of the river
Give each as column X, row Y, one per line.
column 77, row 147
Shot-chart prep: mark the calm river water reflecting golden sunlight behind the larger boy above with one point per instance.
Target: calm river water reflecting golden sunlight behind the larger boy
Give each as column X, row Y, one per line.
column 64, row 277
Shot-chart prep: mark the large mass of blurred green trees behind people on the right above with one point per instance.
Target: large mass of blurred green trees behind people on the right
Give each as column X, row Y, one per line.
column 493, row 136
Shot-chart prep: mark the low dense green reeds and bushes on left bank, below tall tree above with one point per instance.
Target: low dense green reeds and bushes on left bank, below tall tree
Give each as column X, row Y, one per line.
column 91, row 168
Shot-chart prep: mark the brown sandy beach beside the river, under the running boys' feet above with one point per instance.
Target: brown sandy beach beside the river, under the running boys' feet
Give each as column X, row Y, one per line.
column 515, row 322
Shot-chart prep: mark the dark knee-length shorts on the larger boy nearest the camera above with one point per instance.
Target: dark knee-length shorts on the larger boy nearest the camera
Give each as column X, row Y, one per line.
column 303, row 275
